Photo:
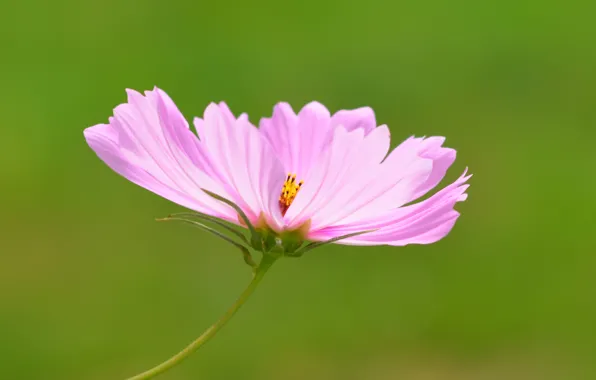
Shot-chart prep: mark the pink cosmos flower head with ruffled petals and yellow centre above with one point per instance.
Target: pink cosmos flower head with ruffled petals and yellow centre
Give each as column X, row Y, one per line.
column 325, row 175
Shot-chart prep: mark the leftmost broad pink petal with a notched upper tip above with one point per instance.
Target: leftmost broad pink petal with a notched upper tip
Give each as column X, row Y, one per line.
column 149, row 143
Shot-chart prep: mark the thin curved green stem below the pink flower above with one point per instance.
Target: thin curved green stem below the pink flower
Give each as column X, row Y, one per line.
column 264, row 265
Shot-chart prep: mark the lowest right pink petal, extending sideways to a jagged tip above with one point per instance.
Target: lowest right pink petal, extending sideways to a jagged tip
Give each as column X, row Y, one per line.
column 422, row 223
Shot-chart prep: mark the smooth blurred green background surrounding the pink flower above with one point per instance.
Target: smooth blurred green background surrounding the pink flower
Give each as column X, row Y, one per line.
column 91, row 287
